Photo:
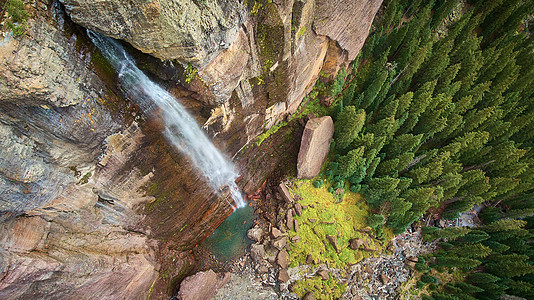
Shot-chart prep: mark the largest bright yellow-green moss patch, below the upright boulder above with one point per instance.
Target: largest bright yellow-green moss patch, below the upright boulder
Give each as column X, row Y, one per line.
column 342, row 220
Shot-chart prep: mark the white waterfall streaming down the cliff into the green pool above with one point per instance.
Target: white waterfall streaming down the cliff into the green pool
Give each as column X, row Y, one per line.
column 180, row 128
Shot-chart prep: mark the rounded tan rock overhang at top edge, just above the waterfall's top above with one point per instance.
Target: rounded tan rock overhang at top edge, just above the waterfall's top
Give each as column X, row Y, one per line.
column 190, row 31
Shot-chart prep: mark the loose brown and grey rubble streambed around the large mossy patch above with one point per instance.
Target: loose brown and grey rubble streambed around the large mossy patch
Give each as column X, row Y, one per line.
column 266, row 270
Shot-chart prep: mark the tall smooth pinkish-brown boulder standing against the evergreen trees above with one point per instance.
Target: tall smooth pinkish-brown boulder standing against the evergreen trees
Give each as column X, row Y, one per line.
column 314, row 146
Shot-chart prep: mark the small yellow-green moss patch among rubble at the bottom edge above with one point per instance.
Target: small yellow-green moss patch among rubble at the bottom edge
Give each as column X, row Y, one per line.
column 321, row 289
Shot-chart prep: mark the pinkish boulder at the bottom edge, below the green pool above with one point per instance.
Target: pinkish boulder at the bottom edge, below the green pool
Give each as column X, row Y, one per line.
column 202, row 285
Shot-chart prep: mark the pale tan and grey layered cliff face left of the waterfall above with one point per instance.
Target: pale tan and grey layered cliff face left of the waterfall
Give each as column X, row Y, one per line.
column 61, row 236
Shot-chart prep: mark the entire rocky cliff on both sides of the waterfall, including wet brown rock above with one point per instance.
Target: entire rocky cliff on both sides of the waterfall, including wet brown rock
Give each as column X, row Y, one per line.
column 94, row 201
